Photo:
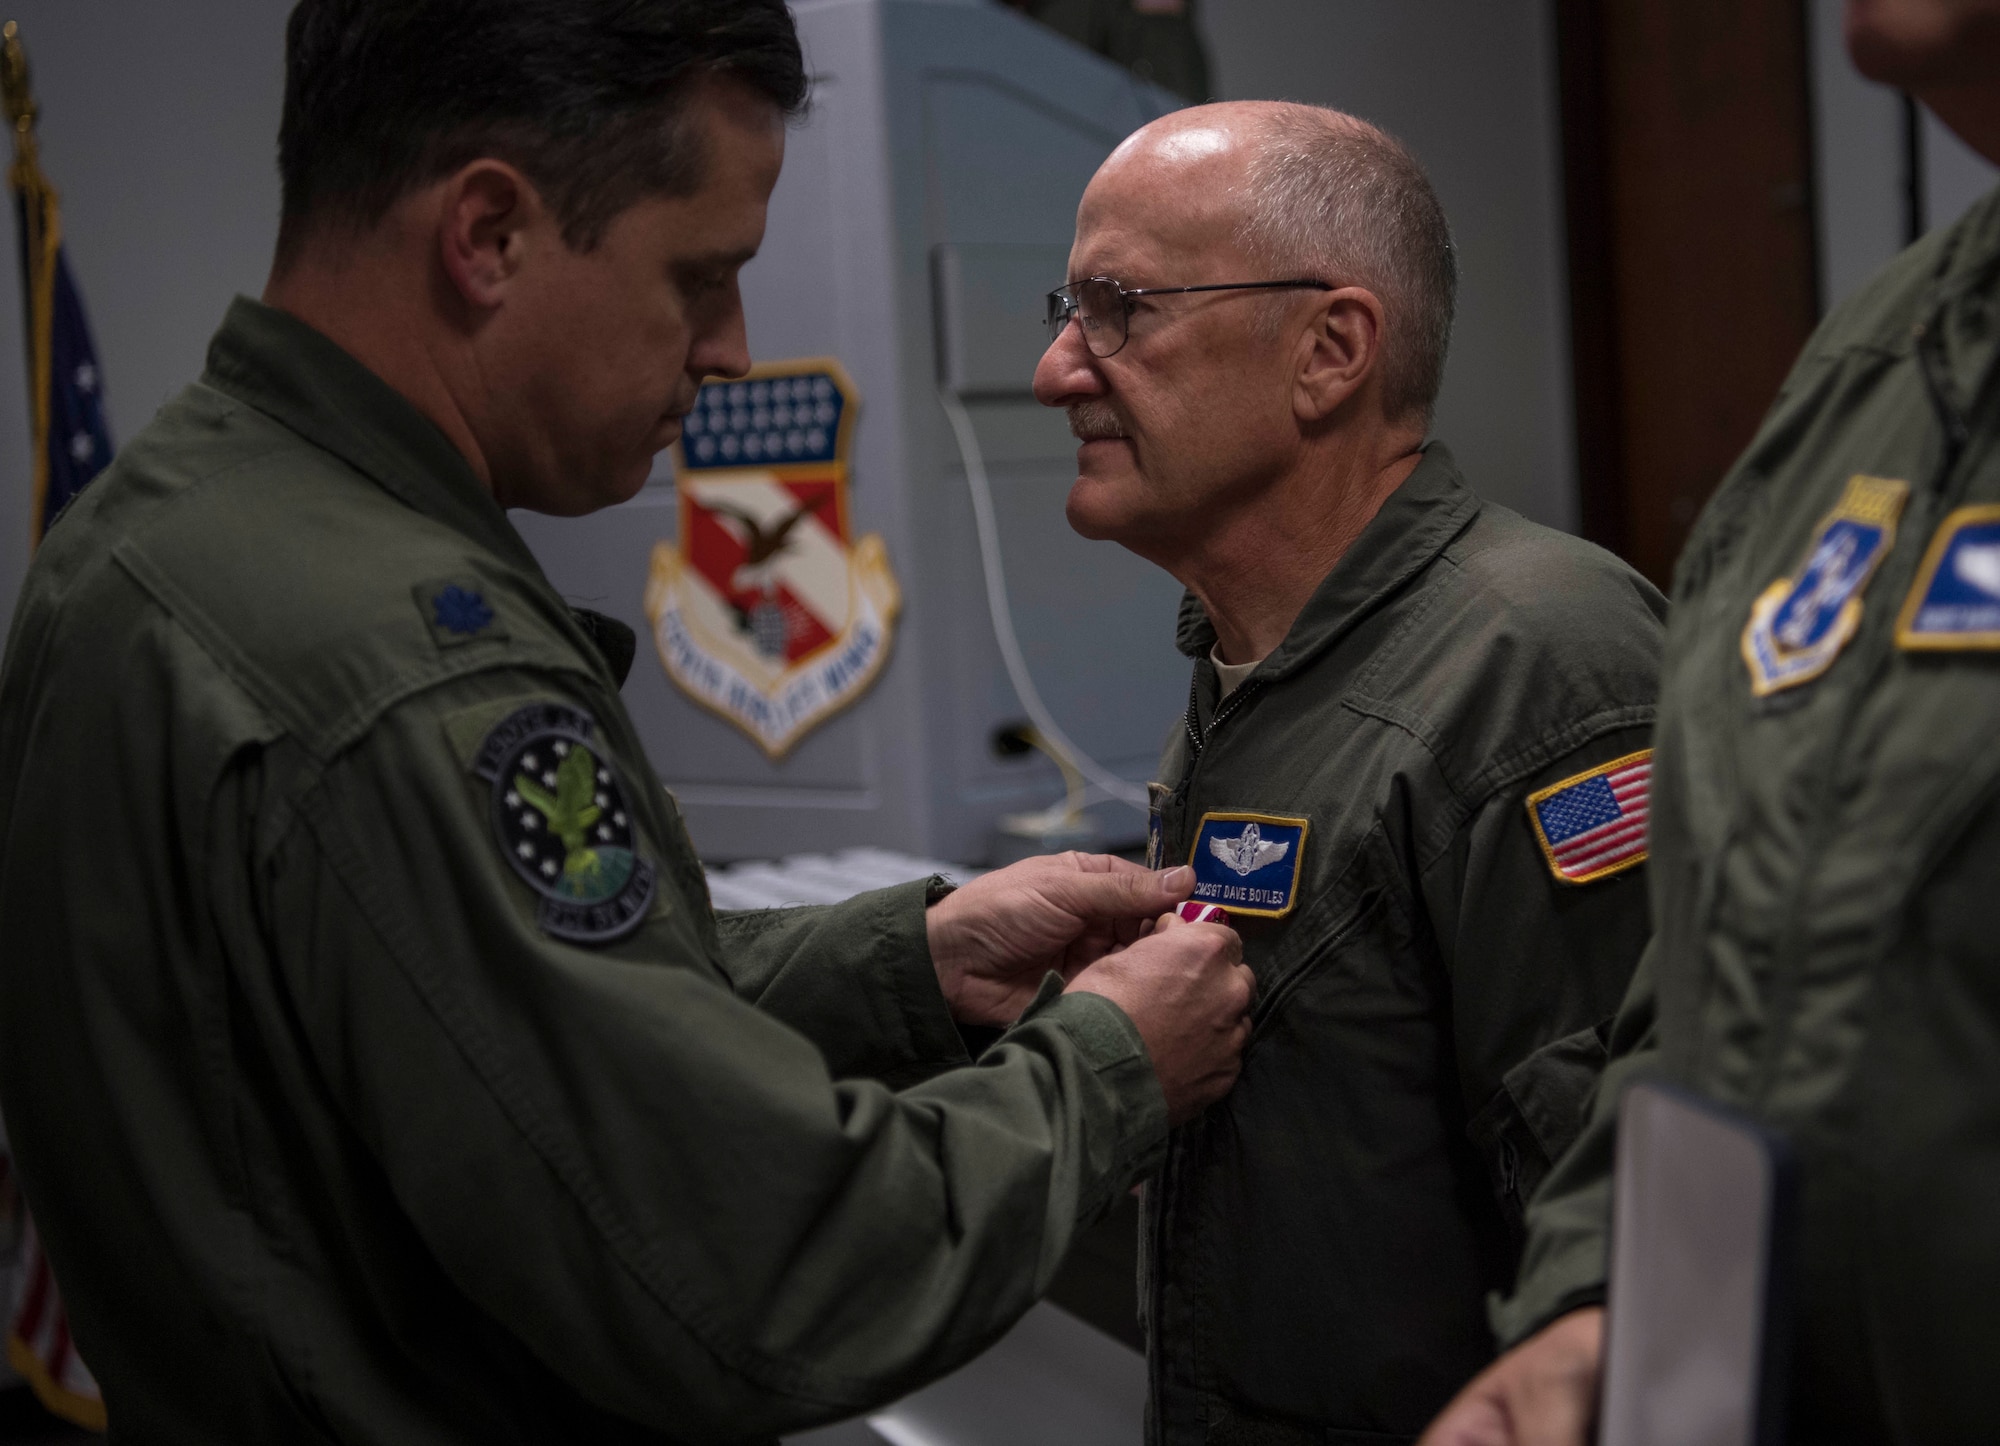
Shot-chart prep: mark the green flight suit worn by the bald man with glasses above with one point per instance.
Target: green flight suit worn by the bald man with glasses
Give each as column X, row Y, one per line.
column 1431, row 1009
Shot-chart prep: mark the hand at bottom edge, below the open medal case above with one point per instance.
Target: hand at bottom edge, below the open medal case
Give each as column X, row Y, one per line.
column 1543, row 1393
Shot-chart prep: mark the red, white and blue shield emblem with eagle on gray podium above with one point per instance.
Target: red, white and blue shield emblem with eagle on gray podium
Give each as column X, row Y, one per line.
column 767, row 609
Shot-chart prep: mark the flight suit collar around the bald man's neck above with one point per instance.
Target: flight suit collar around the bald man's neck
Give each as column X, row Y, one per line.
column 1403, row 539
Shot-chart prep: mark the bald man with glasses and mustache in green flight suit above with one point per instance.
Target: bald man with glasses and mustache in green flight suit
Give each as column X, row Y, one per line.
column 1413, row 767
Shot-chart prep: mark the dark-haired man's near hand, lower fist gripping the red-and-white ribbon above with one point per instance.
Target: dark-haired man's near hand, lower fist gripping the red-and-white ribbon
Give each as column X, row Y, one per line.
column 1189, row 993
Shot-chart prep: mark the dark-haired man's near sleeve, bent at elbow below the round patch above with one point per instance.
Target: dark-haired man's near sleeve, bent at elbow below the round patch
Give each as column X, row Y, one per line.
column 653, row 1185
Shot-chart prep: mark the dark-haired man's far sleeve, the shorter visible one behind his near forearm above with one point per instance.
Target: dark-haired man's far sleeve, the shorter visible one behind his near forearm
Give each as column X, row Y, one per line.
column 857, row 979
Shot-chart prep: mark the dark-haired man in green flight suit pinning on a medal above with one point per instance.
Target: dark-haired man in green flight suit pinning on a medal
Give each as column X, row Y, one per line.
column 375, row 1063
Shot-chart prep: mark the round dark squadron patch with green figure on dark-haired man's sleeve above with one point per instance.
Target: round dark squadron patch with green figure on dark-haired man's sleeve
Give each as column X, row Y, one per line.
column 565, row 823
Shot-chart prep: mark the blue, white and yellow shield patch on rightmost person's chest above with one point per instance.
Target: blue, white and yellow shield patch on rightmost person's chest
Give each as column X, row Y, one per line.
column 1801, row 623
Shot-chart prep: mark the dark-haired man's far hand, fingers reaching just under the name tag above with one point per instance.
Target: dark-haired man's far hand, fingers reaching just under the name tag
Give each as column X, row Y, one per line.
column 995, row 939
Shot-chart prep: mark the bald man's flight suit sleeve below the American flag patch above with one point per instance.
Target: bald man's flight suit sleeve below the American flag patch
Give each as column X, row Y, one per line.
column 1537, row 969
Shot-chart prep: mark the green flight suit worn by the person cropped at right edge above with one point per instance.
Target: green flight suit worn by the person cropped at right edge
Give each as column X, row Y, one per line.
column 1827, row 867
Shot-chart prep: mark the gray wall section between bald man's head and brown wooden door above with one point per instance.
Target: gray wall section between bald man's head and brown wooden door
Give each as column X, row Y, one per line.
column 1471, row 87
